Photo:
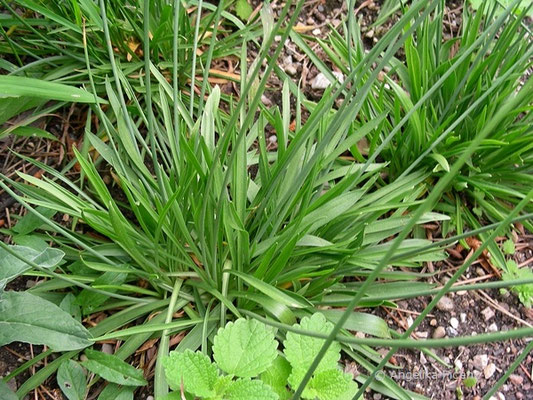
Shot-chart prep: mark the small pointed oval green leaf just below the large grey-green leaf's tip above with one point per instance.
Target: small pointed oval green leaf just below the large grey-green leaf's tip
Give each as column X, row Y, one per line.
column 113, row 369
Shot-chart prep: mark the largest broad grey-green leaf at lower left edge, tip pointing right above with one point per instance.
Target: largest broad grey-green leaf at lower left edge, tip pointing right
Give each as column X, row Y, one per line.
column 27, row 318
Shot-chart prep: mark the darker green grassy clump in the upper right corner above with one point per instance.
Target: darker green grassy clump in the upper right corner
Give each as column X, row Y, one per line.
column 438, row 94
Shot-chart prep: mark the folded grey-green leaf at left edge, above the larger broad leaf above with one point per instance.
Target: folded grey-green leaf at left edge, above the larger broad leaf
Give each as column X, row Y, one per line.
column 11, row 266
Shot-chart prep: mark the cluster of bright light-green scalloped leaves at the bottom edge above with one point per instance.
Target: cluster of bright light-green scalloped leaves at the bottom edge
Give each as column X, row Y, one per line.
column 246, row 351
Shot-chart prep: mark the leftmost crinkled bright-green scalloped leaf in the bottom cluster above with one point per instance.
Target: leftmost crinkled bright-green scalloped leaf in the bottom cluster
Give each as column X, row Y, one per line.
column 192, row 369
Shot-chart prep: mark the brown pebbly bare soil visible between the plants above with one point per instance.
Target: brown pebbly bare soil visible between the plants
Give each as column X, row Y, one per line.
column 462, row 313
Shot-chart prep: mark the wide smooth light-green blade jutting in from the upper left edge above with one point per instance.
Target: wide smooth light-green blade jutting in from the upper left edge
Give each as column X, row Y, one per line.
column 21, row 86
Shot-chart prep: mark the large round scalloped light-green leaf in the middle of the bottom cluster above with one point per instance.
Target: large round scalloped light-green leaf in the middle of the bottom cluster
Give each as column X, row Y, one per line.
column 245, row 348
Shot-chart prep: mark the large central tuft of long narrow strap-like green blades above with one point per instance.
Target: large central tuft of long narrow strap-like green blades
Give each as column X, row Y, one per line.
column 201, row 217
